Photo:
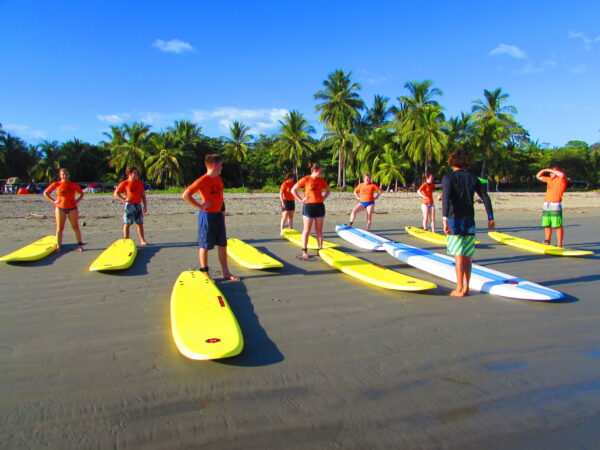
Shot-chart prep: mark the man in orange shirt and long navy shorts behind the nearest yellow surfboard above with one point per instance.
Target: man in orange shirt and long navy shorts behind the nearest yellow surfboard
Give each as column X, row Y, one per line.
column 211, row 217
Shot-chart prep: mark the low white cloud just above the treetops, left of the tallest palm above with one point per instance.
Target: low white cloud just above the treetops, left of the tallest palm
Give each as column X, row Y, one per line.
column 259, row 120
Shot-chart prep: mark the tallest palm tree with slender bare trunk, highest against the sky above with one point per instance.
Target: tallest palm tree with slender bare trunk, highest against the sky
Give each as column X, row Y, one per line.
column 338, row 110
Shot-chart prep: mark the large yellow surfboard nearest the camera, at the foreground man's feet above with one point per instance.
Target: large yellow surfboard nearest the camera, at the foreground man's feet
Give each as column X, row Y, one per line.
column 202, row 322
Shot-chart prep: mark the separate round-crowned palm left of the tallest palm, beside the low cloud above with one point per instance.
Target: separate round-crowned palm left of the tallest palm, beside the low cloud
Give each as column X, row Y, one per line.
column 293, row 143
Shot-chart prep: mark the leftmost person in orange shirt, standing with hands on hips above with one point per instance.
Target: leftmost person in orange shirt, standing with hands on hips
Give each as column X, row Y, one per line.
column 65, row 206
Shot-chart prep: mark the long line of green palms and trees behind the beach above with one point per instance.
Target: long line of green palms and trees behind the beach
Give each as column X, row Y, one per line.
column 396, row 142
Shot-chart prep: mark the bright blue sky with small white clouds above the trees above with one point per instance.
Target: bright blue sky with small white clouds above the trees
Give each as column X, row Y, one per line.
column 73, row 68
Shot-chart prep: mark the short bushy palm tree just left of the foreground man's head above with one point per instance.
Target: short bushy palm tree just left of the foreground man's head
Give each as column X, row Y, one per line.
column 164, row 165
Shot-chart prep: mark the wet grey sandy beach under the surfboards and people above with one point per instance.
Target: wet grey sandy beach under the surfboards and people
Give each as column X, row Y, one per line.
column 87, row 359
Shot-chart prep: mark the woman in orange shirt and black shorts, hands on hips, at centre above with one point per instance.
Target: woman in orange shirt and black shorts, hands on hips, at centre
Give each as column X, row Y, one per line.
column 313, row 208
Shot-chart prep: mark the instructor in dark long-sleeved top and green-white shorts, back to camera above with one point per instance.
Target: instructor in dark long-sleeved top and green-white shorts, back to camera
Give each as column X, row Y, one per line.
column 458, row 189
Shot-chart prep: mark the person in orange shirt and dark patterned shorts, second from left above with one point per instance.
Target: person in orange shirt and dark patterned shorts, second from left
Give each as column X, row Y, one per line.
column 135, row 197
